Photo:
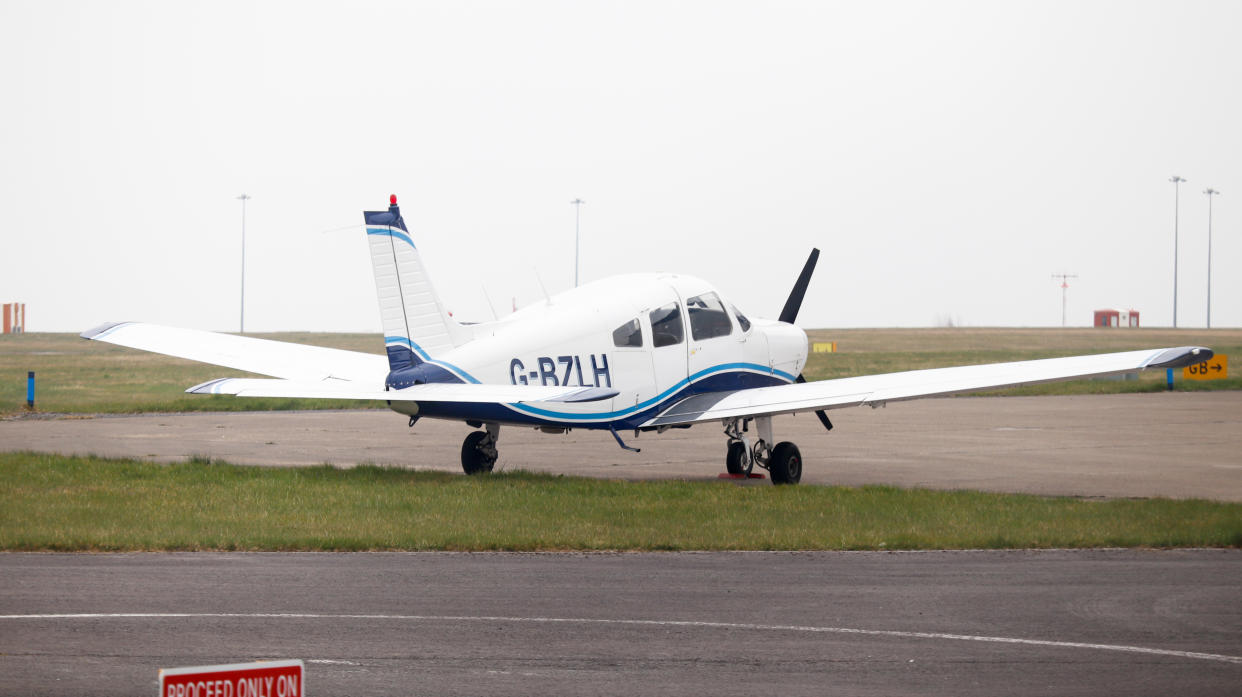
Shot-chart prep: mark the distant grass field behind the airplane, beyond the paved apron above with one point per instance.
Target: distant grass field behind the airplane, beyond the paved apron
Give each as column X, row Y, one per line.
column 75, row 376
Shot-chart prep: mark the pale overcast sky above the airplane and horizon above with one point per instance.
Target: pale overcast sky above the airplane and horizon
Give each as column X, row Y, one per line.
column 947, row 157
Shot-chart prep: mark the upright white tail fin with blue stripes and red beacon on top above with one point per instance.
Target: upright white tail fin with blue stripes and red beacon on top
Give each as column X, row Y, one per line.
column 415, row 324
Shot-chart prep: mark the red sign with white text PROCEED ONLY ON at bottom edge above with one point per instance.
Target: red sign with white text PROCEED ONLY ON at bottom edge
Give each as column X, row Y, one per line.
column 269, row 679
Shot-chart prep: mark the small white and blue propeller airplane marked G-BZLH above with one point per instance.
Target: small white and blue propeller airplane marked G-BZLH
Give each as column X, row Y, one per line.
column 644, row 352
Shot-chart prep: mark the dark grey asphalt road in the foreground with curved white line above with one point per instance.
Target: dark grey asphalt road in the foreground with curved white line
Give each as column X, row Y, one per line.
column 943, row 623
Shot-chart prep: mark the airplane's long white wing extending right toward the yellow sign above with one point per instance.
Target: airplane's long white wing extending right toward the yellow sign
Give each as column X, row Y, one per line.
column 916, row 385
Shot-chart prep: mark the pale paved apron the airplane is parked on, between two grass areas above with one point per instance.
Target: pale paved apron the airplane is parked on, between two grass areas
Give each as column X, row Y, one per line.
column 1167, row 444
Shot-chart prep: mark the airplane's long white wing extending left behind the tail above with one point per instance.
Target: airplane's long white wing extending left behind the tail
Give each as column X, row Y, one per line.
column 265, row 357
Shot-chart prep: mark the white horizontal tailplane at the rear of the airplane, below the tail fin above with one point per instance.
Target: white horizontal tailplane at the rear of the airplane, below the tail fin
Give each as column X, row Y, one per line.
column 430, row 392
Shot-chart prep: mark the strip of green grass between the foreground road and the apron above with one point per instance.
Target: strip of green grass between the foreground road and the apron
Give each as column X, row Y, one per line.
column 84, row 504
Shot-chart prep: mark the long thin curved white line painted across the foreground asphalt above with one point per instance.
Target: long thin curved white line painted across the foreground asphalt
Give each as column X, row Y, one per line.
column 1123, row 649
